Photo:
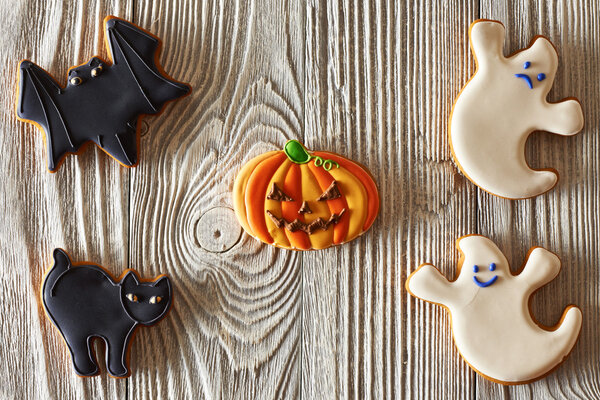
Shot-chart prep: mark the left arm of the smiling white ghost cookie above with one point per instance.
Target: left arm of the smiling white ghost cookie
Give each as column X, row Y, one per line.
column 427, row 283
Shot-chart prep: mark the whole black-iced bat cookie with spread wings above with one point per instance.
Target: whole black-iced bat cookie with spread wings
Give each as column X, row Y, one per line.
column 102, row 102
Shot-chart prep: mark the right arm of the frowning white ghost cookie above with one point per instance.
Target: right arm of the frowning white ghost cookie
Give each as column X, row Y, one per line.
column 564, row 118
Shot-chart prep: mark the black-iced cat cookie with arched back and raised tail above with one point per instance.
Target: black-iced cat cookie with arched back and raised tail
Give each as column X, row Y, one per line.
column 85, row 302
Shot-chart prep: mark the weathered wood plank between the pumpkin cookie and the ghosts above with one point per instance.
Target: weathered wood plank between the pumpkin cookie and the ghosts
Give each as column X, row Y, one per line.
column 381, row 77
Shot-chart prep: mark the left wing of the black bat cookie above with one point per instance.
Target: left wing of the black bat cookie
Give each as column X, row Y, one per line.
column 38, row 103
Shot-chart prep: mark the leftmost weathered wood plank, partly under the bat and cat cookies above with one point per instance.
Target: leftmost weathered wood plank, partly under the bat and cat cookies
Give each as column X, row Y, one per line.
column 82, row 208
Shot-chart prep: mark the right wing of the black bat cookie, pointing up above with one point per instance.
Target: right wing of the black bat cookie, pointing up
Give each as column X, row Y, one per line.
column 134, row 51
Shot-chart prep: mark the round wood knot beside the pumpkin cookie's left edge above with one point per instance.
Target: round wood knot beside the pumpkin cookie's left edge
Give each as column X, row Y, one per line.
column 218, row 230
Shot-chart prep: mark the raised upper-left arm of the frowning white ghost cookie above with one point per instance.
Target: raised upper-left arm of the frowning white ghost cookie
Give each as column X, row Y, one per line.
column 487, row 40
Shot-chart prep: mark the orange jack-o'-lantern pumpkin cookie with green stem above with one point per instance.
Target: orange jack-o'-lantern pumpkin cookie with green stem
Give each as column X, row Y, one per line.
column 304, row 200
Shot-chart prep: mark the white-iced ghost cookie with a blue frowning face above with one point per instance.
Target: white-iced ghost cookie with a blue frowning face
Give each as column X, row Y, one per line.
column 502, row 104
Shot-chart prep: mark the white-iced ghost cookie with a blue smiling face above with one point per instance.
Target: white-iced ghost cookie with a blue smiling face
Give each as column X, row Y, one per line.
column 492, row 325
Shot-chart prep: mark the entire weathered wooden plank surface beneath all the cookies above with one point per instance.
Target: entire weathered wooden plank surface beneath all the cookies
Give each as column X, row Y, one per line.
column 372, row 80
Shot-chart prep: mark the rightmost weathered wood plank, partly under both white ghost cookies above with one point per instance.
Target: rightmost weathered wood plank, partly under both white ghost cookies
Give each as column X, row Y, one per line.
column 565, row 219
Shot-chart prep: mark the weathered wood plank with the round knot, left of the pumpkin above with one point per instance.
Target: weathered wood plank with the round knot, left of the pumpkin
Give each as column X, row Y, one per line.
column 234, row 329
